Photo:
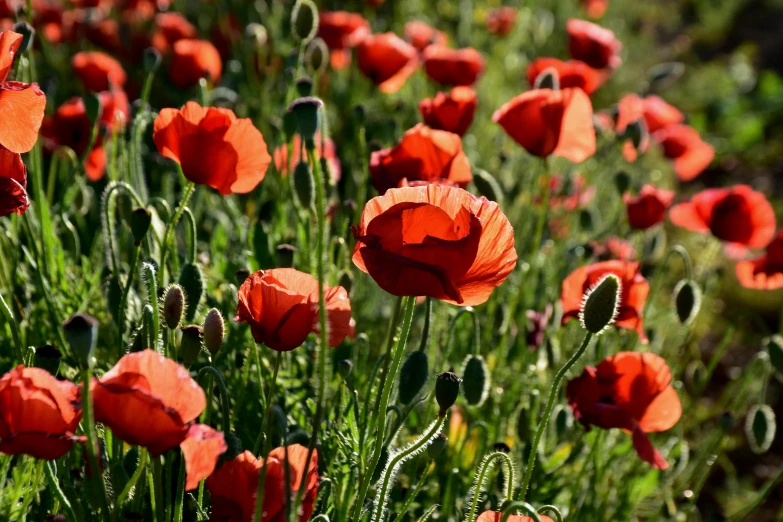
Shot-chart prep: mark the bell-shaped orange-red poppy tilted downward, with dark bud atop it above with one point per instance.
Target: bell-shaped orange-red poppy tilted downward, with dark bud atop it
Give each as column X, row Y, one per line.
column 547, row 122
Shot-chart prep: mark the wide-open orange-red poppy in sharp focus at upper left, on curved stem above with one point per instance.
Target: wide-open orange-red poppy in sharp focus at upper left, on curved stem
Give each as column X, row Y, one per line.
column 213, row 147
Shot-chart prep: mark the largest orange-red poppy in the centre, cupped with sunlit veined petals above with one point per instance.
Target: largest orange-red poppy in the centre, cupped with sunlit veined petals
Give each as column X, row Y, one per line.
column 435, row 241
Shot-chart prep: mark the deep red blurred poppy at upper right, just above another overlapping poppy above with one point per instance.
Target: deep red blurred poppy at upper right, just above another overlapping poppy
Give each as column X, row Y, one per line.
column 592, row 44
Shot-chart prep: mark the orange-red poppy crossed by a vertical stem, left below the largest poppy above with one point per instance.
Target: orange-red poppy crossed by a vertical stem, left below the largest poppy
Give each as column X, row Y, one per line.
column 281, row 307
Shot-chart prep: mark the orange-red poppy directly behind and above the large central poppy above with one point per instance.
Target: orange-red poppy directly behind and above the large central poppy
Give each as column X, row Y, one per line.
column 422, row 154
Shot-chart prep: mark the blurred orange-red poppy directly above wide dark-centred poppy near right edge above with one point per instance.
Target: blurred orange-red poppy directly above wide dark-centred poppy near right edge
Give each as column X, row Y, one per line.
column 690, row 153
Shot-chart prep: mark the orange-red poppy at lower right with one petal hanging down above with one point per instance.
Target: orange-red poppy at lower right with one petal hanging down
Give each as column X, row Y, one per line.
column 631, row 391
